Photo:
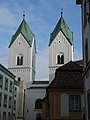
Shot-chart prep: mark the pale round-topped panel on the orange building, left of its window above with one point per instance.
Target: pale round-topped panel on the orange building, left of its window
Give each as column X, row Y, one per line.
column 64, row 105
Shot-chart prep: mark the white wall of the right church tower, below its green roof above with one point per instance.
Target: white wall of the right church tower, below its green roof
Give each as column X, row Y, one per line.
column 59, row 45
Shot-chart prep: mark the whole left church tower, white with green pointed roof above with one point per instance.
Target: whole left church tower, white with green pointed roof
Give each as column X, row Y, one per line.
column 22, row 53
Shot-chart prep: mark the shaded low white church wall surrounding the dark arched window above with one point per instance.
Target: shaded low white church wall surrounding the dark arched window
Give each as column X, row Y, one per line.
column 32, row 95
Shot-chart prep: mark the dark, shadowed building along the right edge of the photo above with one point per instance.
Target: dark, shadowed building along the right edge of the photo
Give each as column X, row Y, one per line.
column 85, row 9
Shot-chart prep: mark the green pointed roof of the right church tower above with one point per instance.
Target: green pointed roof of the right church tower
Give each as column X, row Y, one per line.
column 61, row 26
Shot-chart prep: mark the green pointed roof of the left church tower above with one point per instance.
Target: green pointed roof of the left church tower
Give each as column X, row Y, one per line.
column 25, row 31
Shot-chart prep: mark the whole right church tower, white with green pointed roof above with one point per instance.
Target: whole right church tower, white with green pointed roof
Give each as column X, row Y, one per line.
column 60, row 47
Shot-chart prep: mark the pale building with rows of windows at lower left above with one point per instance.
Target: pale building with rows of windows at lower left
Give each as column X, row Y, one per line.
column 10, row 94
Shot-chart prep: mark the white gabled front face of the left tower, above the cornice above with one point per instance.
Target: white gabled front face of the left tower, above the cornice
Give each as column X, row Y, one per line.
column 20, row 46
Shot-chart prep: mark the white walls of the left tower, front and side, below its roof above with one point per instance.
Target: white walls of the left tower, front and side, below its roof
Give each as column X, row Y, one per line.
column 20, row 47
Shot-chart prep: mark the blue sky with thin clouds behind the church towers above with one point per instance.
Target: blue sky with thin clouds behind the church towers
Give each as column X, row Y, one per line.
column 42, row 17
